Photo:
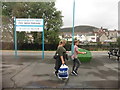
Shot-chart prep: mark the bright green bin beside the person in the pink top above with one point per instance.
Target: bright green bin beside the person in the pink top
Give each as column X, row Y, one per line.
column 85, row 57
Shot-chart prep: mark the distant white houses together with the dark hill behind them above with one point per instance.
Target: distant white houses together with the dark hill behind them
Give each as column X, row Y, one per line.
column 89, row 34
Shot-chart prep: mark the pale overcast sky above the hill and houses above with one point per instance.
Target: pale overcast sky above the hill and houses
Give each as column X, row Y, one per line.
column 99, row 13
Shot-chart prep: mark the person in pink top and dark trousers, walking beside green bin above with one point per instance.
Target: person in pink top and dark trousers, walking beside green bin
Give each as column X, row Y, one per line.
column 76, row 61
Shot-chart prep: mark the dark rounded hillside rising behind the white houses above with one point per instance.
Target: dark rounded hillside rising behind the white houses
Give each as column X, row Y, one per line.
column 81, row 28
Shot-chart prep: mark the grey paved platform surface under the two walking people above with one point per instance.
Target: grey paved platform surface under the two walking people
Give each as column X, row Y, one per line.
column 29, row 71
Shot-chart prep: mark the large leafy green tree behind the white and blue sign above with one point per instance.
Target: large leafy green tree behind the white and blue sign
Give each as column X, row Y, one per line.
column 46, row 10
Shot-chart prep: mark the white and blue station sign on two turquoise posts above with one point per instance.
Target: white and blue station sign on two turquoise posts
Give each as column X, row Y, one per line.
column 30, row 24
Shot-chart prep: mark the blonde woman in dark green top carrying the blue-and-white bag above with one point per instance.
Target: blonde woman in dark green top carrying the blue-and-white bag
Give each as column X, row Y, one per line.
column 61, row 51
